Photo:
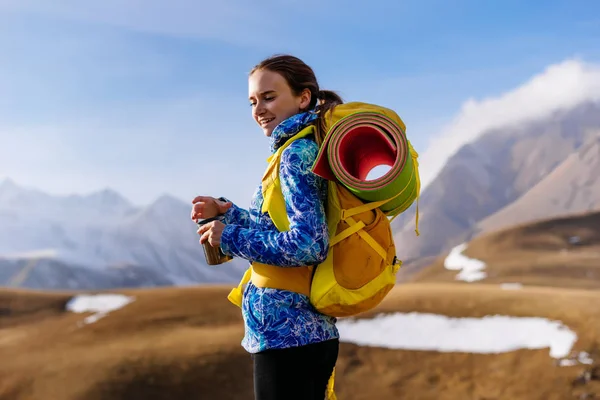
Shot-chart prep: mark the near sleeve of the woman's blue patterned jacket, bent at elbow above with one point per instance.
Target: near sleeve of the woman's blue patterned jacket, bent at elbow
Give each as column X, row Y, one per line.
column 307, row 240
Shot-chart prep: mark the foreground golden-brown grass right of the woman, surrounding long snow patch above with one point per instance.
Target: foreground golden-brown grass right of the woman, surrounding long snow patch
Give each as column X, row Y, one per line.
column 523, row 374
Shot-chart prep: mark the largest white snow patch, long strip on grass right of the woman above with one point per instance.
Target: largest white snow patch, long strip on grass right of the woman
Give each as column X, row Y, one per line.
column 433, row 332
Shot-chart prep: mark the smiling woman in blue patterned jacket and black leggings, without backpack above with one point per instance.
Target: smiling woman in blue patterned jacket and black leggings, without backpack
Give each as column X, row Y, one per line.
column 294, row 347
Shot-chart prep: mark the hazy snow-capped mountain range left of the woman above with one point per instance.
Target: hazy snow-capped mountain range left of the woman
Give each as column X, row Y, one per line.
column 104, row 230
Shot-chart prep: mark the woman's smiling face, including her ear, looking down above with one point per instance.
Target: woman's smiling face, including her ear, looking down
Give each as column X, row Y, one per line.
column 273, row 100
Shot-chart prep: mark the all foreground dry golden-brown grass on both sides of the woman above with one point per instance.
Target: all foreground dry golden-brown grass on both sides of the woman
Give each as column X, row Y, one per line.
column 184, row 343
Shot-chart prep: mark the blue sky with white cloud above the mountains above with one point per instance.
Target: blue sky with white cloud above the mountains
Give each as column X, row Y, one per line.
column 150, row 98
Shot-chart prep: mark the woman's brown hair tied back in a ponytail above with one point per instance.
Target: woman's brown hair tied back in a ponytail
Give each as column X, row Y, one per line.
column 300, row 76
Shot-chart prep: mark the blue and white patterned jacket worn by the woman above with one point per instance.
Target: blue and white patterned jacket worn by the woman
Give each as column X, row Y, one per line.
column 273, row 318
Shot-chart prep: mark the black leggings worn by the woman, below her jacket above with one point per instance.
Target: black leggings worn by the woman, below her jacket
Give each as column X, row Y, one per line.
column 297, row 373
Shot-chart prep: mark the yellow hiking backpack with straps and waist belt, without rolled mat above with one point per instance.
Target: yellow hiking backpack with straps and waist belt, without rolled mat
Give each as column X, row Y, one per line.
column 361, row 265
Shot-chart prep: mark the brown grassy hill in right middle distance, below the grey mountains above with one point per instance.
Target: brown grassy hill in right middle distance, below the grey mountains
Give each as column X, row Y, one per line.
column 535, row 254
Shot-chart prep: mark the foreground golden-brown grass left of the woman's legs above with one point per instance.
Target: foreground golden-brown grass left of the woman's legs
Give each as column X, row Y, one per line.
column 169, row 343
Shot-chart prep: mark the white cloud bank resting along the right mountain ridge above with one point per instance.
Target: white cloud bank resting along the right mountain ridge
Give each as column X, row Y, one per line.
column 561, row 85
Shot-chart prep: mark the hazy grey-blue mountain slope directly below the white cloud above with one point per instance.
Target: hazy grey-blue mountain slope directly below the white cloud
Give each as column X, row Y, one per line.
column 490, row 173
